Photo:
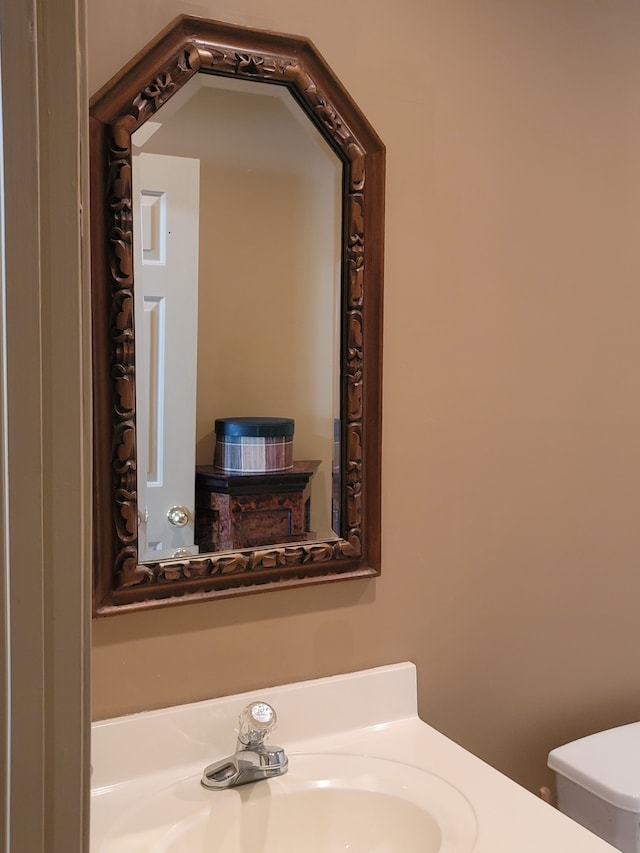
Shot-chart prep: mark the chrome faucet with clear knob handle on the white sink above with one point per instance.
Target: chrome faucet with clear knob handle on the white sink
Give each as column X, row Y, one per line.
column 252, row 760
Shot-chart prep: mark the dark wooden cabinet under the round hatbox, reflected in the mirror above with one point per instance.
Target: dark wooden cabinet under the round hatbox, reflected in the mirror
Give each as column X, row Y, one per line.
column 235, row 511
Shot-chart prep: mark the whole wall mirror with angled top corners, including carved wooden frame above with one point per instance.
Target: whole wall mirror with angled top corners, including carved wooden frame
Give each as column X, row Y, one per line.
column 237, row 237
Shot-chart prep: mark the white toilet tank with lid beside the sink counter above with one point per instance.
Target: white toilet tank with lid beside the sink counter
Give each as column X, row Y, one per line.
column 598, row 784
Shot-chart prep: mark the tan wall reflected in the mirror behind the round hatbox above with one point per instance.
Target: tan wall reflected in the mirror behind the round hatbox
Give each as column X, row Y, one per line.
column 266, row 309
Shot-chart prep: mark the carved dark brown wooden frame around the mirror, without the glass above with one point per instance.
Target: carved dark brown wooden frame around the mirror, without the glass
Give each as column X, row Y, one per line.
column 188, row 46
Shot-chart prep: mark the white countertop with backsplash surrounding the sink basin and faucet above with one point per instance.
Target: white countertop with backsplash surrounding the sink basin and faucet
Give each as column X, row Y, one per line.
column 370, row 714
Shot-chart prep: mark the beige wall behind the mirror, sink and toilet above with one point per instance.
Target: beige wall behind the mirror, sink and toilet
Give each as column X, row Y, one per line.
column 512, row 356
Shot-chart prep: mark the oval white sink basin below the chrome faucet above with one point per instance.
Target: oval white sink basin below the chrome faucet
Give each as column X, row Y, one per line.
column 324, row 803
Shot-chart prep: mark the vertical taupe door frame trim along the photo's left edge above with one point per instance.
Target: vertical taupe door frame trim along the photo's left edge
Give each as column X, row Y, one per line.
column 45, row 433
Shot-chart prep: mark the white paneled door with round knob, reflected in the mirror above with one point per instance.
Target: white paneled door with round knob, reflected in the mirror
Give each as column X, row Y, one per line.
column 166, row 194
